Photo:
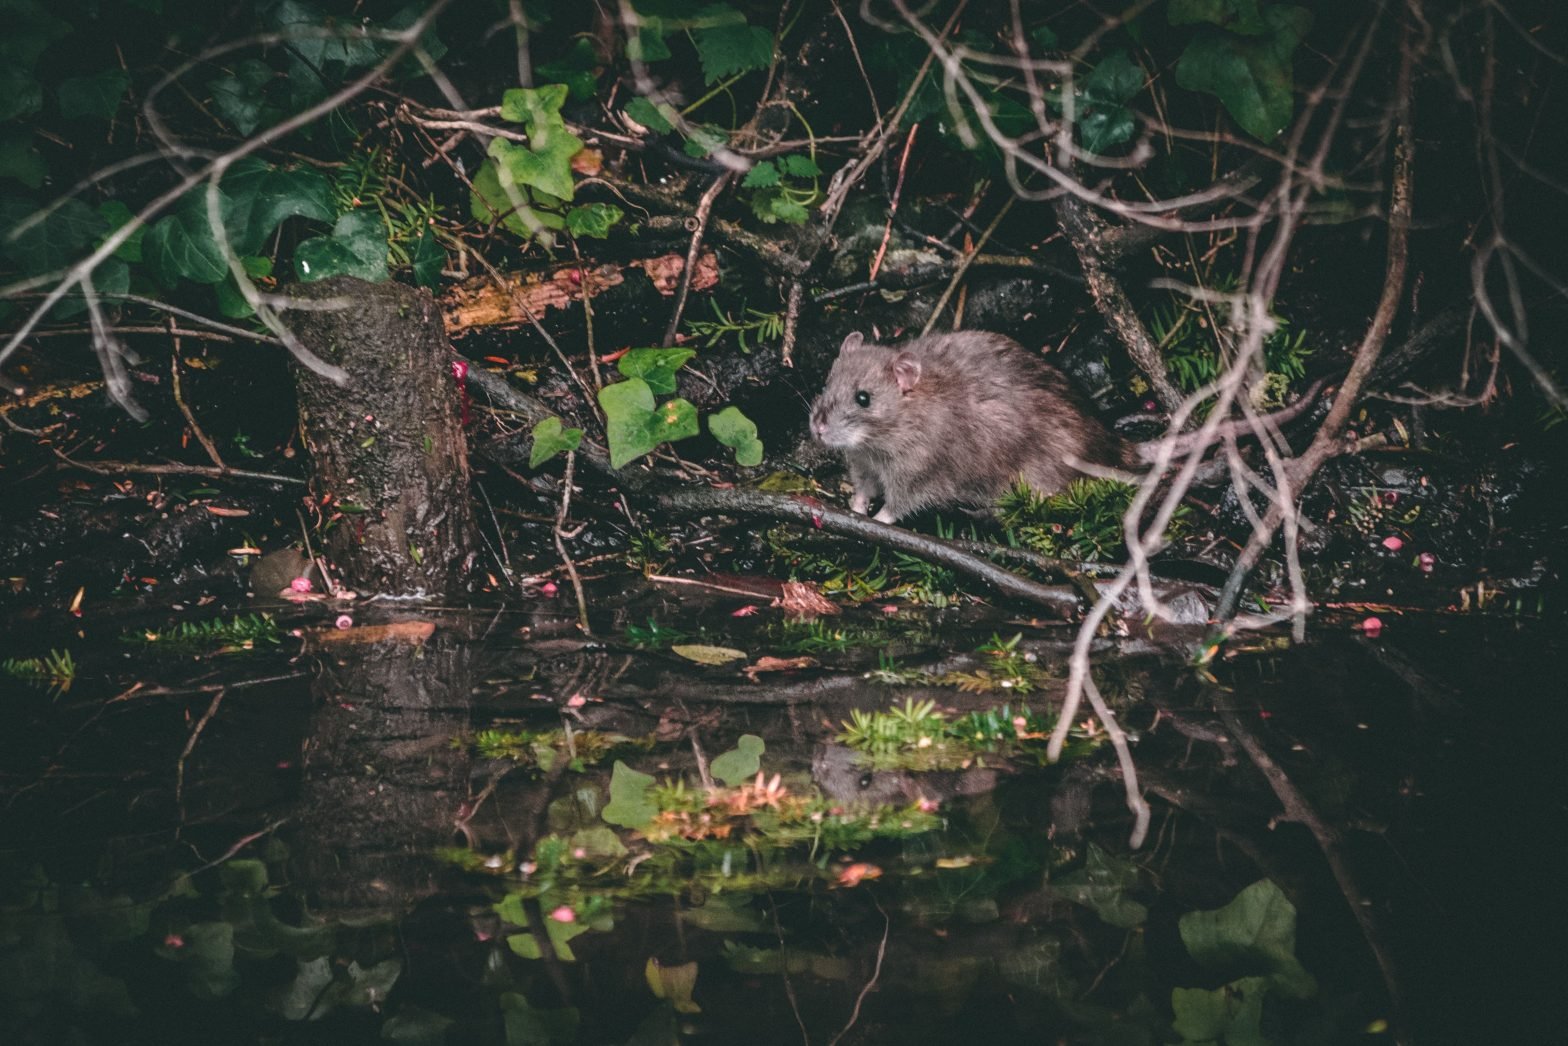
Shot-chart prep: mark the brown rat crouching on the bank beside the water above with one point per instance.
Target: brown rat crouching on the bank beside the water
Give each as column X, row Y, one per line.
column 954, row 419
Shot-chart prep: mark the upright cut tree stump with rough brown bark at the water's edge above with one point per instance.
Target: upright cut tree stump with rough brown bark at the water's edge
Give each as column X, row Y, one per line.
column 391, row 467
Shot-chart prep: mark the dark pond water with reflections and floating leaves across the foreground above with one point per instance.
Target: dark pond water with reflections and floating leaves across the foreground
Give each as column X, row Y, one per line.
column 289, row 844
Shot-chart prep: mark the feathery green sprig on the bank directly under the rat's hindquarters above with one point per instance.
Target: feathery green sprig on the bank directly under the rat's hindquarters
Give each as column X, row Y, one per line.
column 1081, row 523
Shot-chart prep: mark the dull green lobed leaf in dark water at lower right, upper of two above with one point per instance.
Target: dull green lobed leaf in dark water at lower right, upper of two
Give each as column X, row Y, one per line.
column 1255, row 934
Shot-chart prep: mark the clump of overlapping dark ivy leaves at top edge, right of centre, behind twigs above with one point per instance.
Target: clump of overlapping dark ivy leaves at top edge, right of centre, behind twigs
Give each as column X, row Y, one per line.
column 1249, row 64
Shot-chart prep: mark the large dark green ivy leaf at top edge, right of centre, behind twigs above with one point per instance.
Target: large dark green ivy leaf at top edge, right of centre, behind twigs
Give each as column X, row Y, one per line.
column 1250, row 74
